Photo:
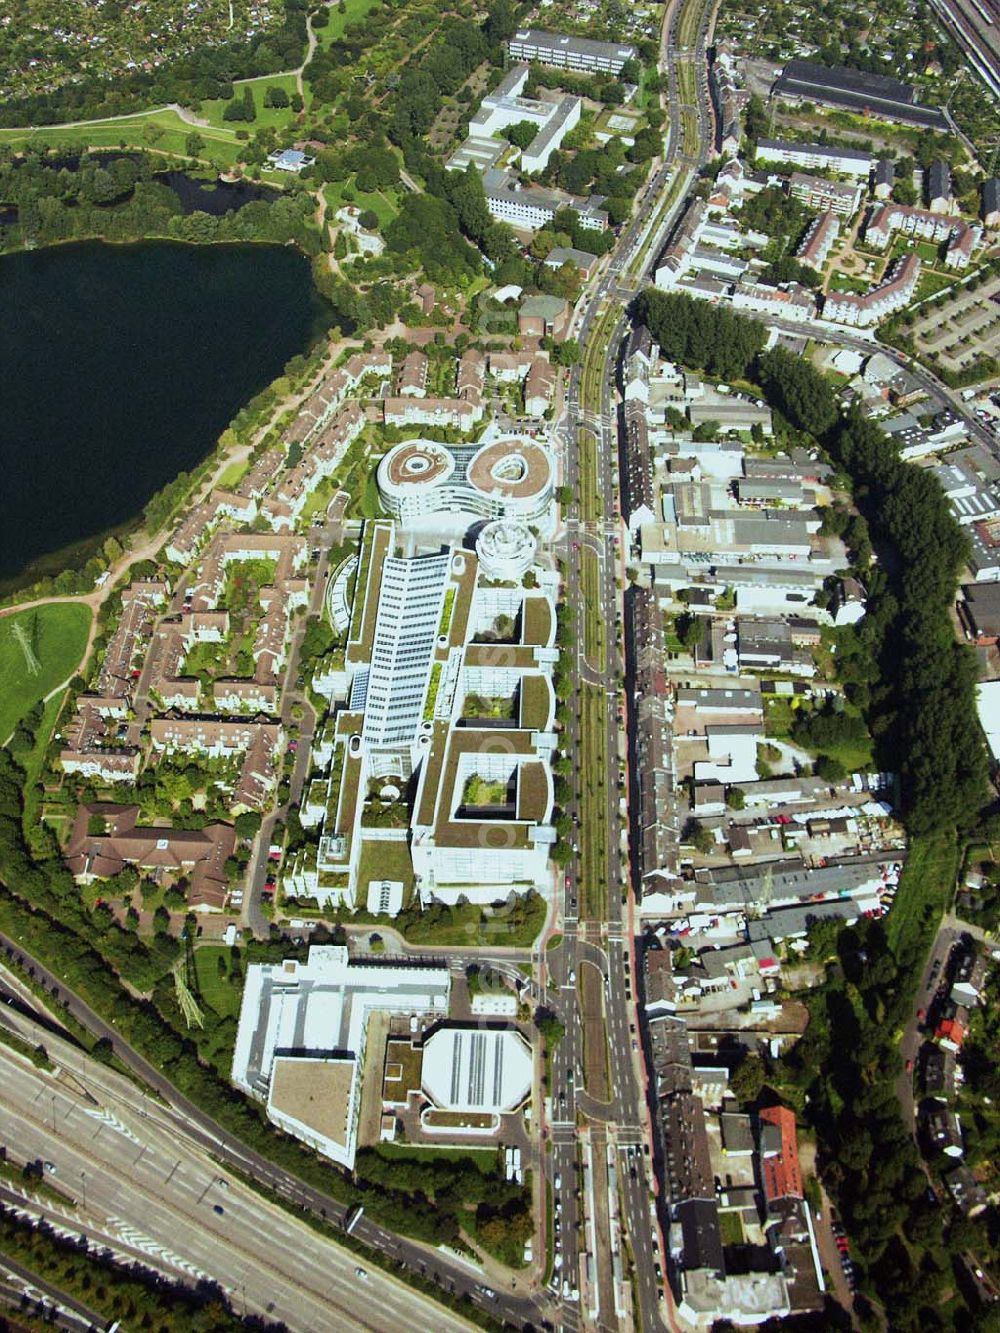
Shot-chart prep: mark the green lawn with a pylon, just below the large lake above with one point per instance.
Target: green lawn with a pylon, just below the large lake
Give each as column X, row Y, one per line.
column 58, row 637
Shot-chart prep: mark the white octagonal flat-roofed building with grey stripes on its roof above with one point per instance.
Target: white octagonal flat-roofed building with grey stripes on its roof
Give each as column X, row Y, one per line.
column 477, row 1068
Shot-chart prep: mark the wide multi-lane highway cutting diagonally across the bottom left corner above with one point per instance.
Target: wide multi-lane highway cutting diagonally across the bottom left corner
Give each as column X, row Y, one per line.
column 143, row 1187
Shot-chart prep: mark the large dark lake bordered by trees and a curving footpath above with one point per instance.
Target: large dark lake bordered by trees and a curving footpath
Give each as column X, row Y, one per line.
column 122, row 366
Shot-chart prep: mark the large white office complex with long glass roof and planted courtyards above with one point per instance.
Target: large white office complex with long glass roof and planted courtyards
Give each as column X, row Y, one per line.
column 441, row 778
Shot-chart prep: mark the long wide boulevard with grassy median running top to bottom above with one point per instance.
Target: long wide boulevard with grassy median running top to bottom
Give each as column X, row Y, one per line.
column 609, row 946
